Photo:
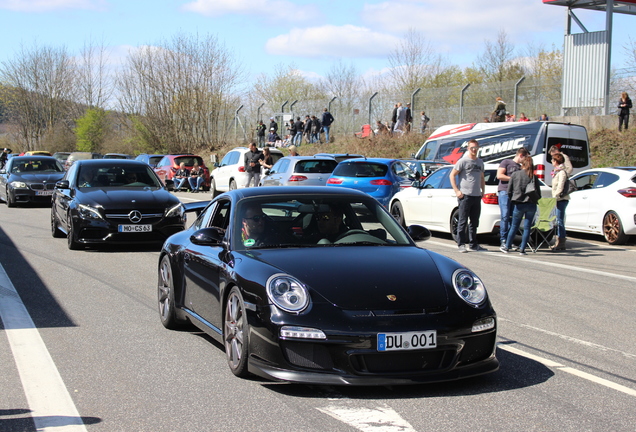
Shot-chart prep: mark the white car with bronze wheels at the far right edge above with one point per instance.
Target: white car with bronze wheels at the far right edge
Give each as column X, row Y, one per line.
column 604, row 203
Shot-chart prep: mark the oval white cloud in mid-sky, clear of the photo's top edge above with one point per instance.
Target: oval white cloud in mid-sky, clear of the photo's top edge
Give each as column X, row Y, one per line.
column 332, row 41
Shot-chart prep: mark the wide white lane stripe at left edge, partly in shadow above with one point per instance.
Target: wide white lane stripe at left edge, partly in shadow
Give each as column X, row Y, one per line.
column 50, row 403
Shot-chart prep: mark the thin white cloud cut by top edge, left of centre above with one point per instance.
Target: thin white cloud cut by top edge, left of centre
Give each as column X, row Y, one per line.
column 278, row 9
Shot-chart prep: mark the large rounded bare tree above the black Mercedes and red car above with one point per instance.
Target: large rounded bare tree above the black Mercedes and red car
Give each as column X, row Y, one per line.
column 181, row 91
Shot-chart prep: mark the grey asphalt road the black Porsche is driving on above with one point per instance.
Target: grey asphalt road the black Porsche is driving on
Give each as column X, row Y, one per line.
column 89, row 353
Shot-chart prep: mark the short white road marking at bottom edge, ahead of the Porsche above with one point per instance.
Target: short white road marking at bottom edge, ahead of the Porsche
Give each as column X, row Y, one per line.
column 382, row 418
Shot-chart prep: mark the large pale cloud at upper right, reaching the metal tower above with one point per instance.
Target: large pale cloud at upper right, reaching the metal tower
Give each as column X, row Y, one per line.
column 465, row 22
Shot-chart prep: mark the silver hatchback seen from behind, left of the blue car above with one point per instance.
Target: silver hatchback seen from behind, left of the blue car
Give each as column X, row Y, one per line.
column 299, row 171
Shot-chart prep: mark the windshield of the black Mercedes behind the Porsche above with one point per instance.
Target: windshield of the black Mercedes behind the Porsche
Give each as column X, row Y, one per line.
column 129, row 176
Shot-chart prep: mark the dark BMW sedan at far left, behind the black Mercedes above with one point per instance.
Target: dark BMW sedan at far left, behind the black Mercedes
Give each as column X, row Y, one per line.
column 26, row 179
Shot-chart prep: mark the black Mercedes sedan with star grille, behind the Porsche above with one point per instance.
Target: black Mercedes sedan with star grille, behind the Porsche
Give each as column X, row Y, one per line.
column 113, row 201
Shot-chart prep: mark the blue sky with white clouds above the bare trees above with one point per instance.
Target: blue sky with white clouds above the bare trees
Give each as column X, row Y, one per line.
column 308, row 34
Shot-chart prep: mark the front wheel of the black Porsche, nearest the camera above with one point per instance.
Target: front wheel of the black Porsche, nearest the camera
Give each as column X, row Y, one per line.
column 236, row 333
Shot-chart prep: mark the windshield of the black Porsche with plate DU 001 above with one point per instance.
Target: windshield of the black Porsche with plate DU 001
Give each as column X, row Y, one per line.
column 268, row 222
